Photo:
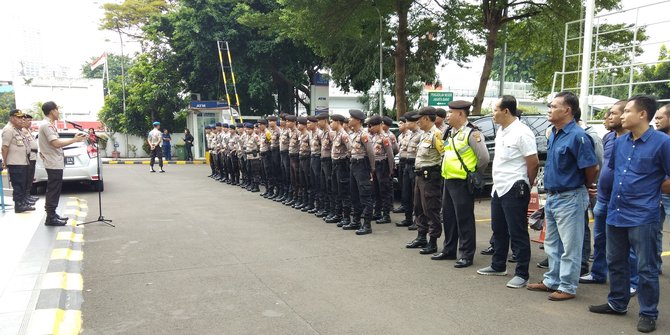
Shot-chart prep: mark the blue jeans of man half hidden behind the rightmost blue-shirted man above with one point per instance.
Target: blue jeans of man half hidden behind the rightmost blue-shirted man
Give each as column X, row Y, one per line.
column 599, row 265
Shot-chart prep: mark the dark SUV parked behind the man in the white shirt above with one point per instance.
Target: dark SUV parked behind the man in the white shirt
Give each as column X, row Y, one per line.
column 538, row 123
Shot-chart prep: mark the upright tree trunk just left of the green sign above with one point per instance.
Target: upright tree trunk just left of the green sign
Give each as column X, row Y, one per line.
column 400, row 58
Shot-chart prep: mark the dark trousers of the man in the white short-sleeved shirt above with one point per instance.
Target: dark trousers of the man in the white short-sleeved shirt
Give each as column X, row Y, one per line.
column 509, row 222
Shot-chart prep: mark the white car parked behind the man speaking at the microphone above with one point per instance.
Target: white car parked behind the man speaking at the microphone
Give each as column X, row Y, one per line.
column 81, row 165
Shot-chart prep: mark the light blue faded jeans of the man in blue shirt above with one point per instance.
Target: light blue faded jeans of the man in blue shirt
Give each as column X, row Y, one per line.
column 564, row 214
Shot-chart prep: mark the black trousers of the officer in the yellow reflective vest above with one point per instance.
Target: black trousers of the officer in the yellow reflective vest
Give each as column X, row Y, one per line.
column 458, row 217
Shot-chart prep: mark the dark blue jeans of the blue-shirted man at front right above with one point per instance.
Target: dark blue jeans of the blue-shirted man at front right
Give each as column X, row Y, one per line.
column 619, row 241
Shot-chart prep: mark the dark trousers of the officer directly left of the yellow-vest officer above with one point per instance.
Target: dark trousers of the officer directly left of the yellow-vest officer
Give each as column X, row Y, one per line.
column 427, row 195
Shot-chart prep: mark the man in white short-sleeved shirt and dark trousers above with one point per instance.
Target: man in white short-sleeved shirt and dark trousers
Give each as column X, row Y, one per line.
column 515, row 167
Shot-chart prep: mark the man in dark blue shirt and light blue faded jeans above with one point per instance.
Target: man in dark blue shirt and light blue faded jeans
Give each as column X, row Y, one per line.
column 571, row 165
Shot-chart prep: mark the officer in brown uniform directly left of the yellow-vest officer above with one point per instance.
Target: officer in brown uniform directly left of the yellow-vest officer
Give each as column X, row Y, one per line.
column 427, row 192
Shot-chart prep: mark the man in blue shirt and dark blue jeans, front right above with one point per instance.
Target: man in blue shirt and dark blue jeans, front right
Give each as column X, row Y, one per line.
column 641, row 162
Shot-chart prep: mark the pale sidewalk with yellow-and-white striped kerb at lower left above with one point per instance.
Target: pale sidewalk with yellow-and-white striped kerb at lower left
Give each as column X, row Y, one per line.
column 40, row 271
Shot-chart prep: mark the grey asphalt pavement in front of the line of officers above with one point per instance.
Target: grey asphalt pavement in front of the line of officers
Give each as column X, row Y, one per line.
column 193, row 256
